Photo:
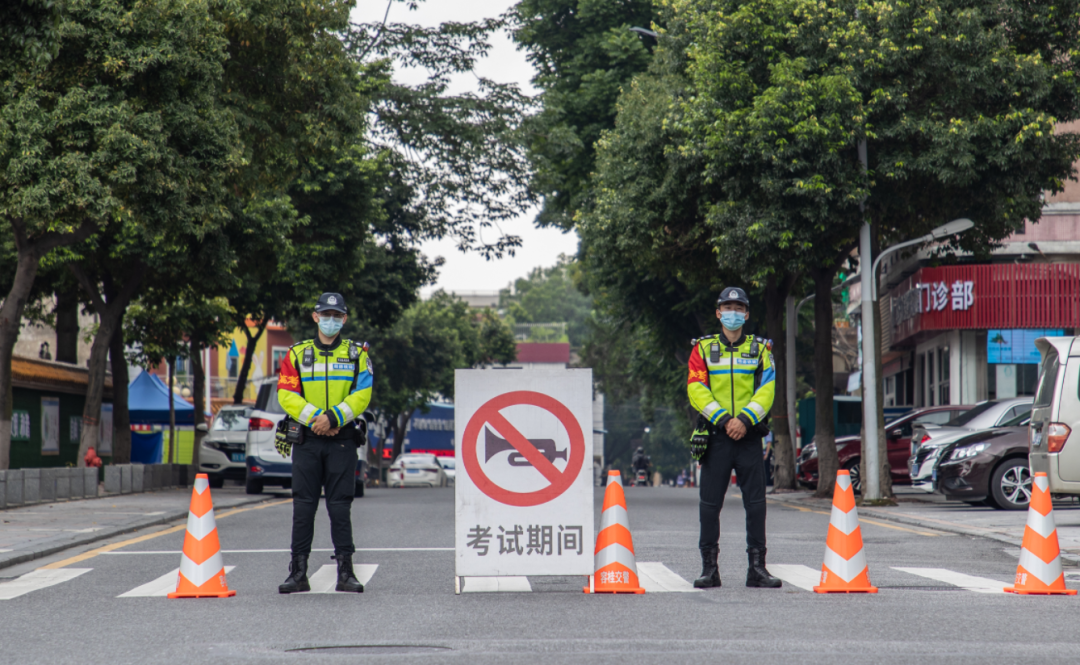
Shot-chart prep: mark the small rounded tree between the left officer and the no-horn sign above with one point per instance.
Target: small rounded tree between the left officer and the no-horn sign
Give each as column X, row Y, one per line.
column 416, row 358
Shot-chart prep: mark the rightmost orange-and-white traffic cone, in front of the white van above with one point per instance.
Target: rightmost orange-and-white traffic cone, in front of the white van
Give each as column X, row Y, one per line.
column 1039, row 572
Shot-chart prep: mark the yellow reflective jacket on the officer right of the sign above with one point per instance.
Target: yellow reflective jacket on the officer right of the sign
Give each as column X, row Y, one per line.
column 731, row 381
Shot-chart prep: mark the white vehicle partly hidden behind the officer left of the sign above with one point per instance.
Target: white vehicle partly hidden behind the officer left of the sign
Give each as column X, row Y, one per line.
column 265, row 465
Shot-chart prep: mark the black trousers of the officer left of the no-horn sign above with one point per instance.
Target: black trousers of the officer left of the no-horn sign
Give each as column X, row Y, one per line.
column 321, row 464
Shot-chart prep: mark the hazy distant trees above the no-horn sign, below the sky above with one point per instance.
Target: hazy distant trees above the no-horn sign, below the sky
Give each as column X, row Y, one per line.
column 550, row 295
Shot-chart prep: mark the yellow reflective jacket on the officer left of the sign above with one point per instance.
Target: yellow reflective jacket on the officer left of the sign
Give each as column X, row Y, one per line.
column 334, row 379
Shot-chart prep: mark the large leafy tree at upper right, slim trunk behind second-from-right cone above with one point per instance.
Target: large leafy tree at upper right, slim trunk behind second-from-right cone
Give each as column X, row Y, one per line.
column 957, row 101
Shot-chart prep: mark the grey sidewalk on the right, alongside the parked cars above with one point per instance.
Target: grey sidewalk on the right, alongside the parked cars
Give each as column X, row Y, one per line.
column 920, row 509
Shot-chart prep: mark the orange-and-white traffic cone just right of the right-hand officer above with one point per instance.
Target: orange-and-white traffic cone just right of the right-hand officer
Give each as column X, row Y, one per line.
column 845, row 569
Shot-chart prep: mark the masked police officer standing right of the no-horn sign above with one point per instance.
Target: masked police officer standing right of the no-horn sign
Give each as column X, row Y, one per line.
column 732, row 384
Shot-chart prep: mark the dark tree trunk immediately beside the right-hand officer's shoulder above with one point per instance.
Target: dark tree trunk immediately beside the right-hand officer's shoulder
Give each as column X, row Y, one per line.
column 784, row 455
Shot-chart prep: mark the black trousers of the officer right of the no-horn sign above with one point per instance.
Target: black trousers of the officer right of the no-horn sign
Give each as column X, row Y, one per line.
column 723, row 456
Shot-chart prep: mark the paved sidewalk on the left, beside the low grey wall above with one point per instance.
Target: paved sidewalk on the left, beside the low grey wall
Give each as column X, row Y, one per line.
column 35, row 532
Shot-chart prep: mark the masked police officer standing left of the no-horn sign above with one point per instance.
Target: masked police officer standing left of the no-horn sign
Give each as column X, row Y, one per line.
column 325, row 386
